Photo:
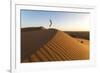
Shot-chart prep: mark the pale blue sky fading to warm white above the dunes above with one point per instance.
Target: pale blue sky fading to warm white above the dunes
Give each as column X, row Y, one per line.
column 65, row 21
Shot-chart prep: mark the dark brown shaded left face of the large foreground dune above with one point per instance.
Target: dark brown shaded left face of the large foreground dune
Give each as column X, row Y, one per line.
column 33, row 39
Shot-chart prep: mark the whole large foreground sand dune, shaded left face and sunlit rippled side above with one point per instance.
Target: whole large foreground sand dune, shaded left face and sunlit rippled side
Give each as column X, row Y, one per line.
column 51, row 45
